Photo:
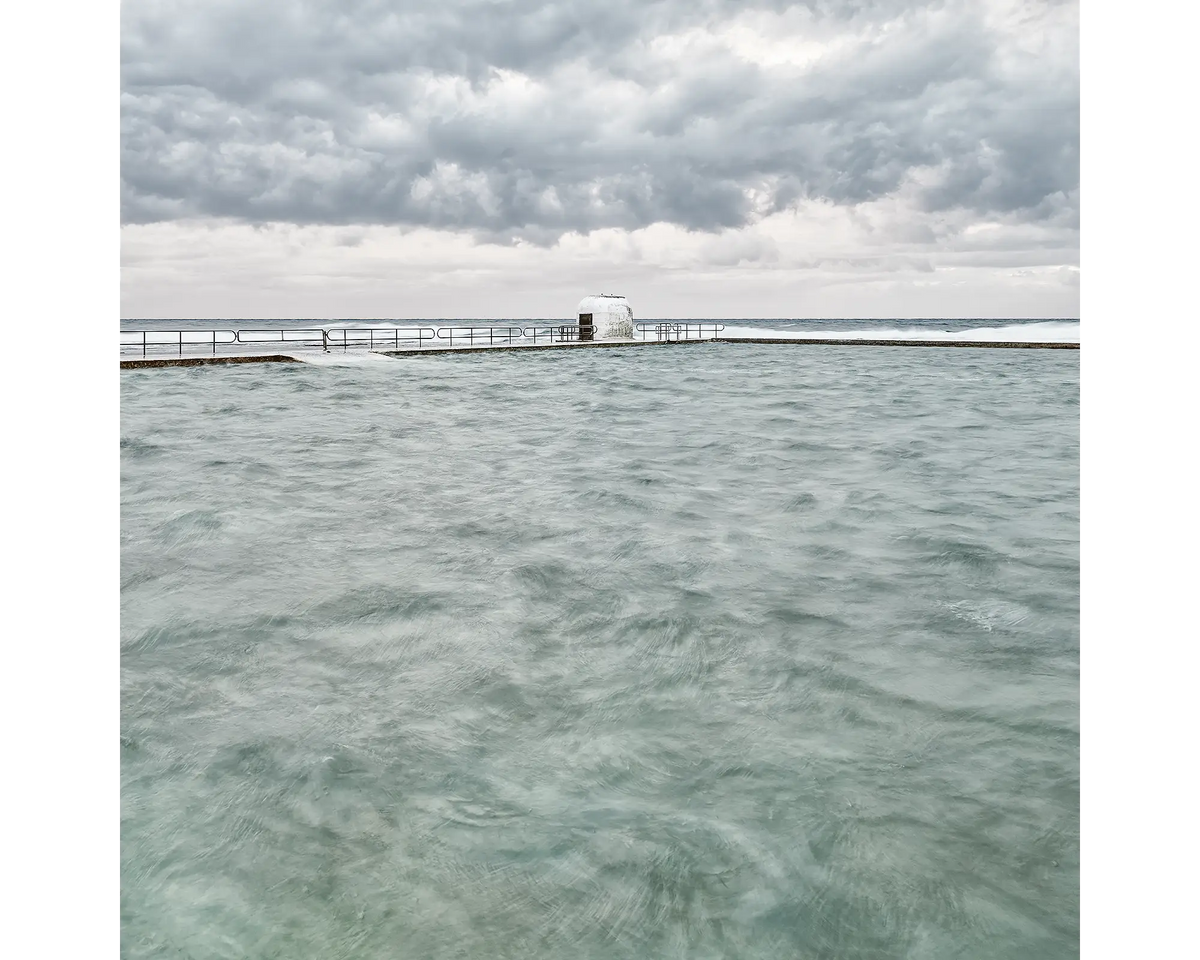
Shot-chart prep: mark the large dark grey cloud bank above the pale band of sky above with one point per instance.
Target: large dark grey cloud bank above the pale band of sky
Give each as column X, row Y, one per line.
column 323, row 113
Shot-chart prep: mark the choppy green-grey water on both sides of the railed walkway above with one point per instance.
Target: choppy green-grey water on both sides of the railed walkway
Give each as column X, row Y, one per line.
column 730, row 651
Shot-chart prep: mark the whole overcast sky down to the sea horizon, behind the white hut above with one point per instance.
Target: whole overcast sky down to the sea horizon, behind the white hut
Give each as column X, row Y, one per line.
column 502, row 159
